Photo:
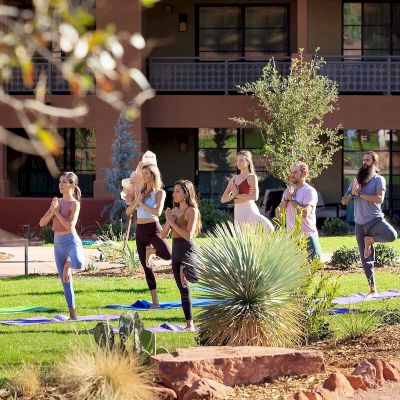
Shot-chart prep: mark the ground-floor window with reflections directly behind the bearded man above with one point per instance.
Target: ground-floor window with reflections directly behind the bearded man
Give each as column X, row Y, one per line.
column 386, row 144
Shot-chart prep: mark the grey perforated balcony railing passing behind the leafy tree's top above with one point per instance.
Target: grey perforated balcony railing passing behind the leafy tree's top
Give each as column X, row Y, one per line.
column 353, row 75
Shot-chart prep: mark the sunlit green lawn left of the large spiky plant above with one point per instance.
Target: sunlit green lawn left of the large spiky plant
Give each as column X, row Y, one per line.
column 49, row 342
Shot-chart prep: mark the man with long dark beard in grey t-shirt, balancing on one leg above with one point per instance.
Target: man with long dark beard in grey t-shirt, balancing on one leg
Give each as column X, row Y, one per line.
column 368, row 192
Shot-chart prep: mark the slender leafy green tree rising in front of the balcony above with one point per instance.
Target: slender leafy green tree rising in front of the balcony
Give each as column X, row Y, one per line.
column 290, row 115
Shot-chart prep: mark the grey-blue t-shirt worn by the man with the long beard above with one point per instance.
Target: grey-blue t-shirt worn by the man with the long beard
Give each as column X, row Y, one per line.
column 365, row 211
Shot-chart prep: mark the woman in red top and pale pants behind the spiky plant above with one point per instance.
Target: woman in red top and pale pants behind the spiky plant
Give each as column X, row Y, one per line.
column 243, row 190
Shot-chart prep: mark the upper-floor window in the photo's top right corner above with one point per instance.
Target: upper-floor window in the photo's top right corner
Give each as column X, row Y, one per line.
column 371, row 28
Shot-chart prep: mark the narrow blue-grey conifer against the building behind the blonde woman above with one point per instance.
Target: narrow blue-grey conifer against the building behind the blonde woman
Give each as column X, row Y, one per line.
column 124, row 150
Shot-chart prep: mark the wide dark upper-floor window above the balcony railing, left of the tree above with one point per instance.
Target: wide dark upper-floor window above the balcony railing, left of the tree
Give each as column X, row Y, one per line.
column 257, row 31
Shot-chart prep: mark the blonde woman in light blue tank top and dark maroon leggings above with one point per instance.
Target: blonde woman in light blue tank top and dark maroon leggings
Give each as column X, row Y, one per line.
column 149, row 203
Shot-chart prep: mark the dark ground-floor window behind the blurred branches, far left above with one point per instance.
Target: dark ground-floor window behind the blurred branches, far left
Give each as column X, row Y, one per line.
column 30, row 177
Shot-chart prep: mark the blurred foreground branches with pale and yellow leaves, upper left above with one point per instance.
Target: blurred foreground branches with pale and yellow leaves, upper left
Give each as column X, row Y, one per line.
column 65, row 39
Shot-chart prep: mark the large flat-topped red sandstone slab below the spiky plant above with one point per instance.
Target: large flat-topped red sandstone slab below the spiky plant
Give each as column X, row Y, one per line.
column 235, row 365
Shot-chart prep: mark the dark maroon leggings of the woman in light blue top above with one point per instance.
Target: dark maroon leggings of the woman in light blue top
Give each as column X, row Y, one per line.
column 149, row 234
